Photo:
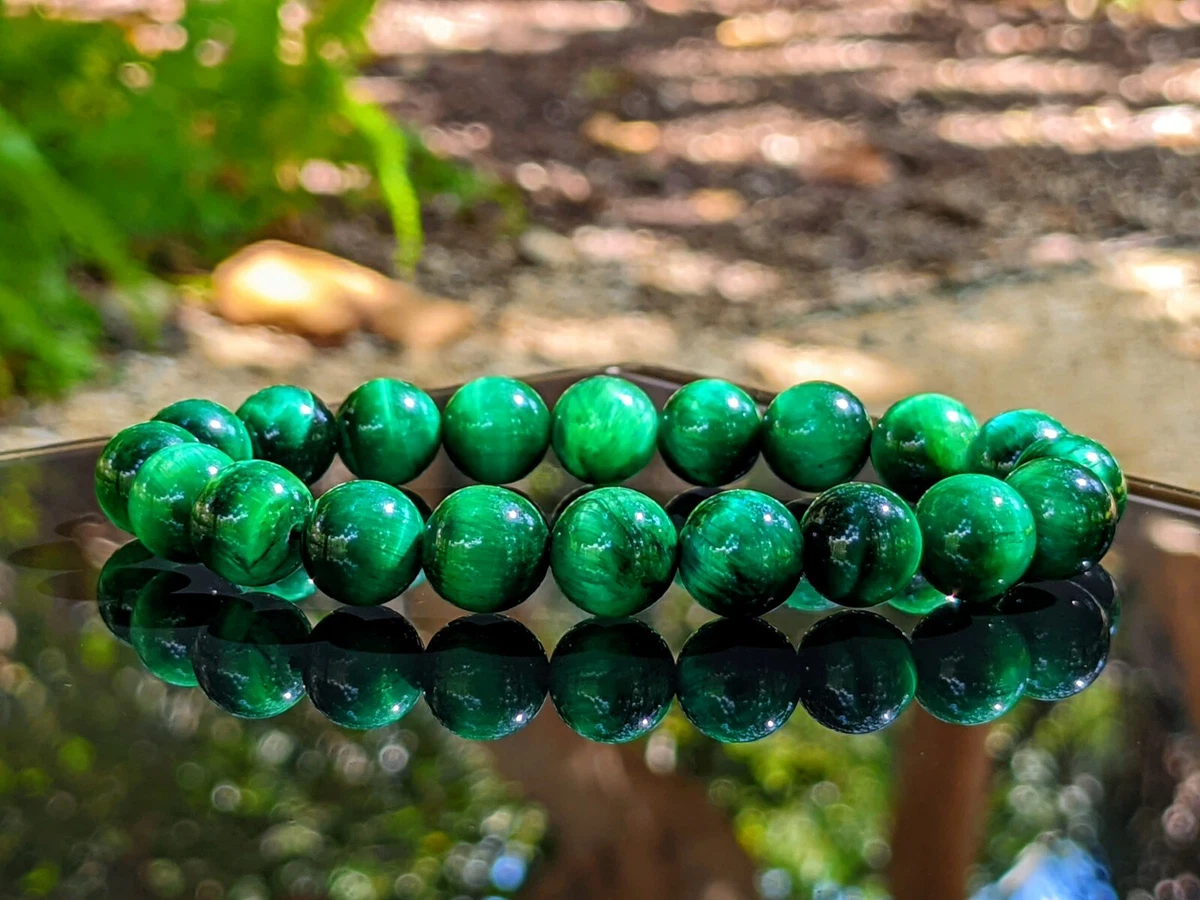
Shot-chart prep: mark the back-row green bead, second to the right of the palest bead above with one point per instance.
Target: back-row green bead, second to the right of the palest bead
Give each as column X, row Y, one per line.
column 817, row 435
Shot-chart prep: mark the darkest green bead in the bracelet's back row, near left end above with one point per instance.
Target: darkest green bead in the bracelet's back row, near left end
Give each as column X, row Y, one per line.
column 292, row 428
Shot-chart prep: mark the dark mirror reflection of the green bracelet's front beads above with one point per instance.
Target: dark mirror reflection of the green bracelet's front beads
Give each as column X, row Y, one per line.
column 611, row 681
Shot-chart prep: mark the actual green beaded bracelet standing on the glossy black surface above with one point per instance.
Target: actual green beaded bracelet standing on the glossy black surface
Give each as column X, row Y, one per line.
column 1018, row 499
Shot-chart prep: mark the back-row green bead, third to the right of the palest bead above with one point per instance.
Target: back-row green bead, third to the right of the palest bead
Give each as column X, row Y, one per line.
column 921, row 441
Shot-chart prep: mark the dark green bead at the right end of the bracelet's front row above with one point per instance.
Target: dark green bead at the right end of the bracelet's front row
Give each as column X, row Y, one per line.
column 1073, row 513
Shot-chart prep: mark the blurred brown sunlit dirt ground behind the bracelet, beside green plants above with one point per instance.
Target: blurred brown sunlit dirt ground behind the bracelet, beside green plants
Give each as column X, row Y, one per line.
column 995, row 201
